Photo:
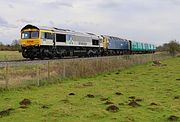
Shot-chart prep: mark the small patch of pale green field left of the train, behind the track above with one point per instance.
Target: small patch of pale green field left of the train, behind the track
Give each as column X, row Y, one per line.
column 10, row 55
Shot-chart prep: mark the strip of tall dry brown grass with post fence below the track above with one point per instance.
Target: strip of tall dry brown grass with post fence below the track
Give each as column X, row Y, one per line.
column 38, row 74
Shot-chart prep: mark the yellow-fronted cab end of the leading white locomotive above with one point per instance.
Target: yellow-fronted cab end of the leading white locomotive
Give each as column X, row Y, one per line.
column 37, row 42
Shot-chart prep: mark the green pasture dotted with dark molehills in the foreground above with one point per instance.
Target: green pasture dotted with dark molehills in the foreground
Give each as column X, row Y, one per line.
column 142, row 93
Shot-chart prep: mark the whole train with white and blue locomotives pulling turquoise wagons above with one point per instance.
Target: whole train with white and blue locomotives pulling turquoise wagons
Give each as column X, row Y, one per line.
column 44, row 42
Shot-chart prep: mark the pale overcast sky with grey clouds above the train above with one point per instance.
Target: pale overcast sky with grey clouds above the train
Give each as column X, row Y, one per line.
column 153, row 21
